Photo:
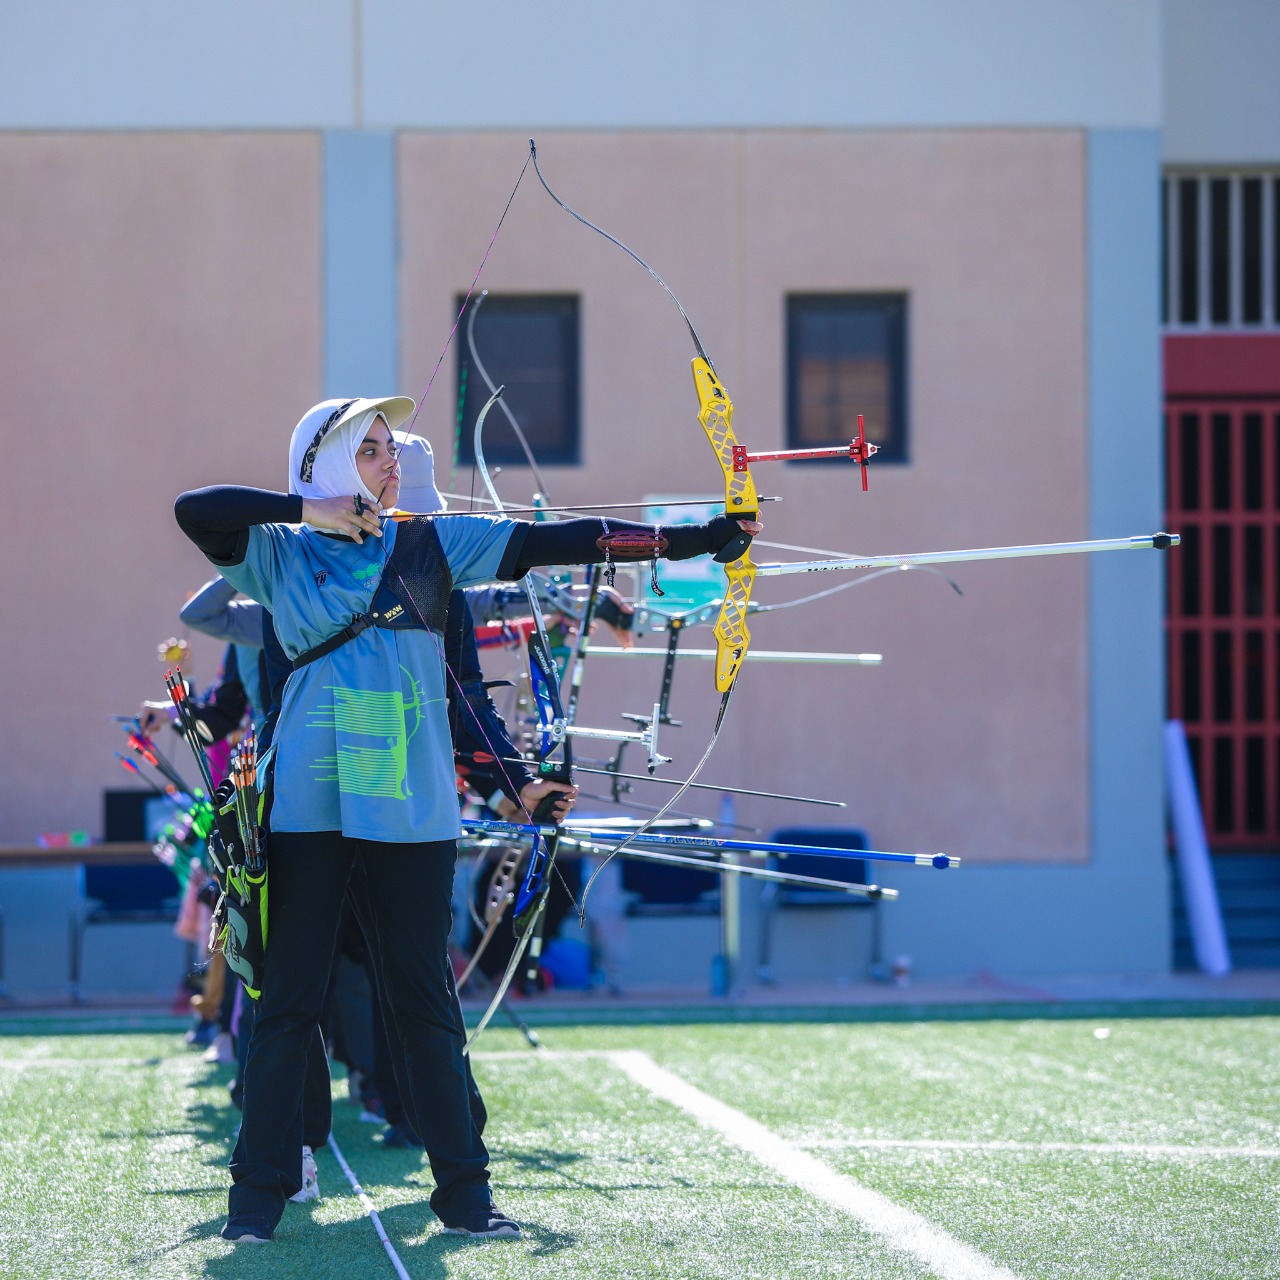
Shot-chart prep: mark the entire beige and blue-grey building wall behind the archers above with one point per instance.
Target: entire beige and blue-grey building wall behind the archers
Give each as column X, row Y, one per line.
column 176, row 300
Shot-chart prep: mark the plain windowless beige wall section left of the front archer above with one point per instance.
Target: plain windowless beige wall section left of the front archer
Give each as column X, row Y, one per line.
column 161, row 322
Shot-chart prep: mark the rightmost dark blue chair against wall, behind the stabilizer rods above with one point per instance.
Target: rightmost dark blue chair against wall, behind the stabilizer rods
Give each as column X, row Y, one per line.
column 851, row 871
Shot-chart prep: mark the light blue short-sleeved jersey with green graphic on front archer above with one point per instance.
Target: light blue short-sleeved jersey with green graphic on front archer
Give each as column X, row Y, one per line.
column 363, row 744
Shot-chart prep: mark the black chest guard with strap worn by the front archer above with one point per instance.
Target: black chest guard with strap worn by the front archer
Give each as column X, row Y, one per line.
column 413, row 595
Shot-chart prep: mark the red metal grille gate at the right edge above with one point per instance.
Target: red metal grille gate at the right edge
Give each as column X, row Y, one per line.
column 1224, row 609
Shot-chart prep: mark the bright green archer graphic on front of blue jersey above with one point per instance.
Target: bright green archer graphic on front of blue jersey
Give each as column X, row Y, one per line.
column 373, row 732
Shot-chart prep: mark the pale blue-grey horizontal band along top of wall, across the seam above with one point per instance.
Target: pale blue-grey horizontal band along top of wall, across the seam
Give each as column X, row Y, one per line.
column 130, row 65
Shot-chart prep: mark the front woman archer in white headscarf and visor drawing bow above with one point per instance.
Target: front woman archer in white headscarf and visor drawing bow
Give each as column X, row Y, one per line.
column 364, row 767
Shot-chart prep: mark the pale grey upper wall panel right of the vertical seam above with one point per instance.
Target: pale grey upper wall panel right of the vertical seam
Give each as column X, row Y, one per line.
column 726, row 63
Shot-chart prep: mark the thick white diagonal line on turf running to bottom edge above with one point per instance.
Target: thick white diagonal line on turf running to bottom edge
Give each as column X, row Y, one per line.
column 900, row 1228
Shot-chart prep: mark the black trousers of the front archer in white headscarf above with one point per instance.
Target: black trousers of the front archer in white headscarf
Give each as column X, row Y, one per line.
column 409, row 890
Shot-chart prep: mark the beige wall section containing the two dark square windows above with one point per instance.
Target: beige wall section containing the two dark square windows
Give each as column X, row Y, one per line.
column 972, row 737
